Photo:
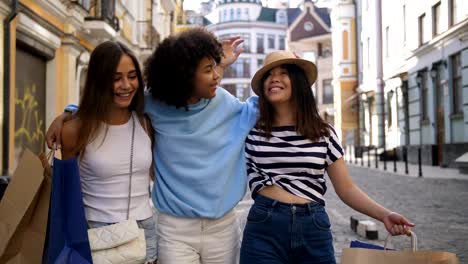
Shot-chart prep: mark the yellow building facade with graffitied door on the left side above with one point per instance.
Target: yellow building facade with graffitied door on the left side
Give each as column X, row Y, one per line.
column 45, row 47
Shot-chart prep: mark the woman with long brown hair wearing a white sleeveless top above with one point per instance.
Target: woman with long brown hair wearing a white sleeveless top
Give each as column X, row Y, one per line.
column 109, row 135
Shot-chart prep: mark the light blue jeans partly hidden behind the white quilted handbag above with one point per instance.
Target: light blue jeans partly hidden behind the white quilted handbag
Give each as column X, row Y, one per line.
column 149, row 226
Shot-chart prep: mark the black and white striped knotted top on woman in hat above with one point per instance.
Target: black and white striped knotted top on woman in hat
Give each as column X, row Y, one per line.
column 290, row 161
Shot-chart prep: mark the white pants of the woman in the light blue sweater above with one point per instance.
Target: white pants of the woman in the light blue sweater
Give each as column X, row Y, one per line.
column 198, row 240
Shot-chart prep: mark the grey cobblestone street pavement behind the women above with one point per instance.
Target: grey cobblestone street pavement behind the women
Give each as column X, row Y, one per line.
column 438, row 207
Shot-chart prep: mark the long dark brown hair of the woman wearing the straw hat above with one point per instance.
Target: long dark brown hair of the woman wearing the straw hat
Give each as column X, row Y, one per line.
column 309, row 123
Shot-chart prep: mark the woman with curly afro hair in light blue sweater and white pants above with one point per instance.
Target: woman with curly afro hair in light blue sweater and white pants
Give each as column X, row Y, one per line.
column 199, row 147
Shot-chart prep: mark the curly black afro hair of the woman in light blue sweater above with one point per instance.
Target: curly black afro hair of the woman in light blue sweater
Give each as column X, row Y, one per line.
column 170, row 71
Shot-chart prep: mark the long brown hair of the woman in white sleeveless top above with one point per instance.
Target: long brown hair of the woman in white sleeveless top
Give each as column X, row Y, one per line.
column 97, row 98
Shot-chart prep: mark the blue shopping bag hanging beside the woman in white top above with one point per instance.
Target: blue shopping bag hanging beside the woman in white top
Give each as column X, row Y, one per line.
column 67, row 235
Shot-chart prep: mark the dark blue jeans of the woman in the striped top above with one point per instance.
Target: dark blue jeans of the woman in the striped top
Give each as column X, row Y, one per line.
column 286, row 233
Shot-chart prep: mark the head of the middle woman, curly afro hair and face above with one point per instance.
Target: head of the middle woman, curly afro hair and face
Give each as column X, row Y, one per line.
column 171, row 70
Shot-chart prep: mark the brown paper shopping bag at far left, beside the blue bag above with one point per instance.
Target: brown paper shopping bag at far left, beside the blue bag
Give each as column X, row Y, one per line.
column 24, row 212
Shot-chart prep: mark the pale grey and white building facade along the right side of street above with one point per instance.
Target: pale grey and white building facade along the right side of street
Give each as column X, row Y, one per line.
column 414, row 88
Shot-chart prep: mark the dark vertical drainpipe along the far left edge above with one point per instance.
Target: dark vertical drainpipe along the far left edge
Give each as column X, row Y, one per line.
column 6, row 84
